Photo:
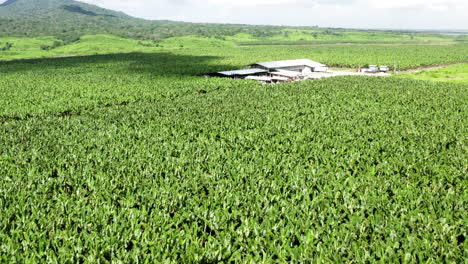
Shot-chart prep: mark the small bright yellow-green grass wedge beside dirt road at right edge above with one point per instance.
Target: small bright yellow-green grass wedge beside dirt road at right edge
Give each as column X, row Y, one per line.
column 455, row 74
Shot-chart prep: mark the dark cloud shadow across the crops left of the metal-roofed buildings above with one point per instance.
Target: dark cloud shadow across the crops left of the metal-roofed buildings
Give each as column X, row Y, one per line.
column 161, row 63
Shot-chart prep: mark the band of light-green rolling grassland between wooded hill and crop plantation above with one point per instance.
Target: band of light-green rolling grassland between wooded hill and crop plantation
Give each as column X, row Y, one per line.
column 44, row 47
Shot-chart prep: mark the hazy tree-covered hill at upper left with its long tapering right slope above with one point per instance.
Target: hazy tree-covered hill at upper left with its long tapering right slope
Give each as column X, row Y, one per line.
column 68, row 20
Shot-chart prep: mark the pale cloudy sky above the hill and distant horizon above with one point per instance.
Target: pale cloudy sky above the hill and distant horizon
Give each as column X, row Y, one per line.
column 397, row 14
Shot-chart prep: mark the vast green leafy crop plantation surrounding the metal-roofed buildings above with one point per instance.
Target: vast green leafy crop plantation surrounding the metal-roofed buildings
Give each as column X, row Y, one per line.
column 133, row 158
